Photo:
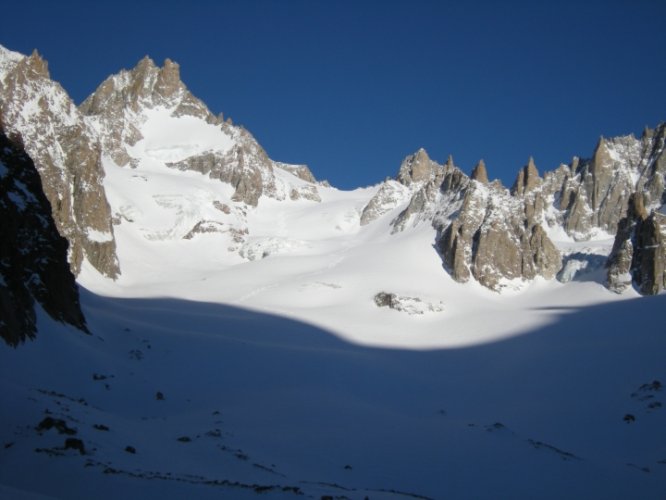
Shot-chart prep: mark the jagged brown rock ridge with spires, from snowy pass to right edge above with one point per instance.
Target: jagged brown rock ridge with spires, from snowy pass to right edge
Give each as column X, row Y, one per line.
column 495, row 235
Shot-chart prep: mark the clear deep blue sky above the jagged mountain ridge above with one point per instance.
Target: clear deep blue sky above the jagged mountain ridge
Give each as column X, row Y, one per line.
column 352, row 87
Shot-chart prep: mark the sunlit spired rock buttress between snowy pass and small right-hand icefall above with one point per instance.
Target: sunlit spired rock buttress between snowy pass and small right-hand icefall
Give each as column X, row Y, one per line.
column 484, row 231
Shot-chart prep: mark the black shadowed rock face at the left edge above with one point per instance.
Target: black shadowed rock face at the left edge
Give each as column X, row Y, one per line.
column 33, row 255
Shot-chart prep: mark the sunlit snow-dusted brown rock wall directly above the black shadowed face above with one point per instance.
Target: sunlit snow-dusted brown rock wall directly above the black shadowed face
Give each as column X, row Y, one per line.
column 39, row 112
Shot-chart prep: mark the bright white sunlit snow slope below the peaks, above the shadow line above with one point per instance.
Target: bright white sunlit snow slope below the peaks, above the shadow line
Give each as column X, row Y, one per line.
column 181, row 235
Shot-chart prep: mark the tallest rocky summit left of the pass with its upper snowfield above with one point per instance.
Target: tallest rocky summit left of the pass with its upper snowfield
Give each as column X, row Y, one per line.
column 135, row 110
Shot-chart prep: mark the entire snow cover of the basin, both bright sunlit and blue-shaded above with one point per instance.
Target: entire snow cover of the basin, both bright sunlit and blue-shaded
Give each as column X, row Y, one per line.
column 278, row 371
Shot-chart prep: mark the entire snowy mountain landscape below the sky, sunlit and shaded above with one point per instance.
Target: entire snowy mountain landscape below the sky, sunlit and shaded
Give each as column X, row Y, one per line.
column 255, row 330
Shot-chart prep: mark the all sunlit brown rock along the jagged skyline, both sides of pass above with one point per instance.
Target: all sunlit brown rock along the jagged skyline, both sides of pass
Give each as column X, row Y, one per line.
column 484, row 231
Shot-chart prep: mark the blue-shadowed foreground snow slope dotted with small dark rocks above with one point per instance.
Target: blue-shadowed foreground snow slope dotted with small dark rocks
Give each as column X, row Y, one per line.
column 255, row 402
